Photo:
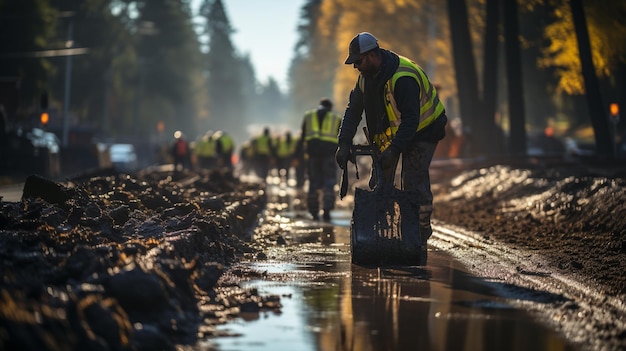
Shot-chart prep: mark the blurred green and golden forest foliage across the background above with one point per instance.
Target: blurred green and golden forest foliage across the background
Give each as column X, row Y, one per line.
column 156, row 62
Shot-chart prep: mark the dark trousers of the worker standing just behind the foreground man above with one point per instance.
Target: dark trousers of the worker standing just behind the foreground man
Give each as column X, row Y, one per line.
column 322, row 176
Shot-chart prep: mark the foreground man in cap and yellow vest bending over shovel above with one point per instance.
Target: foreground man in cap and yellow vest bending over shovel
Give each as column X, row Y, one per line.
column 404, row 116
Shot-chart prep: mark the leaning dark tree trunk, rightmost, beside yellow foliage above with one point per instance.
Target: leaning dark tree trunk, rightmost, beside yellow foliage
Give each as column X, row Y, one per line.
column 597, row 112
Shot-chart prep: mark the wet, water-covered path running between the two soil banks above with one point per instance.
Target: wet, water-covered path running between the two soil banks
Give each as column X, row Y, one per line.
column 330, row 304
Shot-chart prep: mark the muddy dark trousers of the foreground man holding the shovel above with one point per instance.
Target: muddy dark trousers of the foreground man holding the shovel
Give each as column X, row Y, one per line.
column 415, row 176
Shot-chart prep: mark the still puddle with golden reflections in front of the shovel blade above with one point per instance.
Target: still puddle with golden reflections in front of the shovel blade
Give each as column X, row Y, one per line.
column 347, row 307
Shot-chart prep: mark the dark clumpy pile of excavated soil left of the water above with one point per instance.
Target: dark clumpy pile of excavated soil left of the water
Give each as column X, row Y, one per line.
column 124, row 263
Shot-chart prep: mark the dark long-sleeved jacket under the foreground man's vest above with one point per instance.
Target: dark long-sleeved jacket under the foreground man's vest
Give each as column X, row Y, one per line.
column 372, row 101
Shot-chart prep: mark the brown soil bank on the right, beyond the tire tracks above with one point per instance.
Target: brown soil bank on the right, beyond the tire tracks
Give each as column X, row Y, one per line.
column 574, row 216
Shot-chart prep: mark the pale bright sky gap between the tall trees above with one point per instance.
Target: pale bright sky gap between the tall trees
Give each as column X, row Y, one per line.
column 266, row 31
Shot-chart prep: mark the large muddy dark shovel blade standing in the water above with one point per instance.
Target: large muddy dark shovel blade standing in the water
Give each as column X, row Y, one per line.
column 385, row 227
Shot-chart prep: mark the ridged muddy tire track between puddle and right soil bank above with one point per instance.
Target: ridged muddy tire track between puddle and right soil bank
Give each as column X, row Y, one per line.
column 568, row 304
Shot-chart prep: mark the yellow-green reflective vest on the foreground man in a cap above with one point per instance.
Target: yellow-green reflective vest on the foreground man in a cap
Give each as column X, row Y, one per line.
column 430, row 105
